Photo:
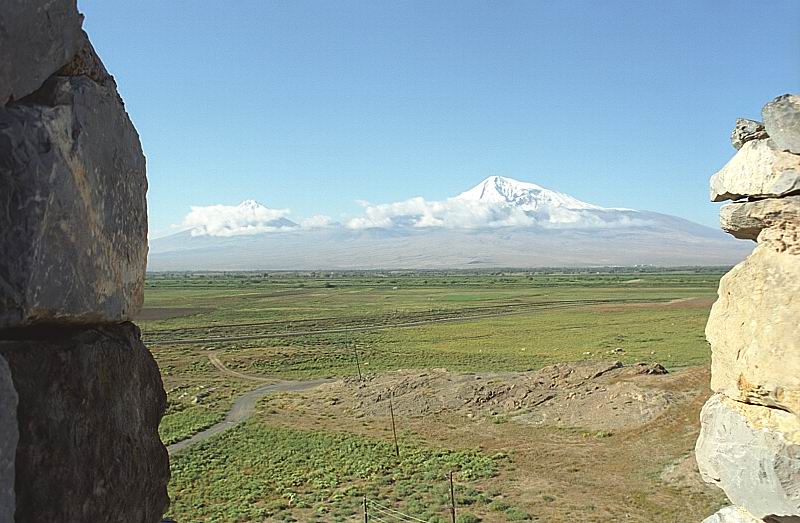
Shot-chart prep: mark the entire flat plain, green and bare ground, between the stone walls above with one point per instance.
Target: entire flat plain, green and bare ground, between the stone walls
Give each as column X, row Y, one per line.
column 461, row 355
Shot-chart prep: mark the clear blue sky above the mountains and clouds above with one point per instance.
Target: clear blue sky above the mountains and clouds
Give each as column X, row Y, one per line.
column 313, row 105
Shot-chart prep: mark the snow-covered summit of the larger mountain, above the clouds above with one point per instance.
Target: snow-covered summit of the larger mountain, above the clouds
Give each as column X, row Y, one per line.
column 523, row 195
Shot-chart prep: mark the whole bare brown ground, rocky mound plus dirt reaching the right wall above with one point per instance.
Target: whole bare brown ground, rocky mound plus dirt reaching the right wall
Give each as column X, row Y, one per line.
column 595, row 463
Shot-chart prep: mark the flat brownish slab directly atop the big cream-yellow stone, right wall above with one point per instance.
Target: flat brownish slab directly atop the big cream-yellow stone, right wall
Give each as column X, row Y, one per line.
column 745, row 220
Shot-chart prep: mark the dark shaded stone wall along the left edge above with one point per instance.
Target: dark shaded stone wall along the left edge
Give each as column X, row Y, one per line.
column 80, row 396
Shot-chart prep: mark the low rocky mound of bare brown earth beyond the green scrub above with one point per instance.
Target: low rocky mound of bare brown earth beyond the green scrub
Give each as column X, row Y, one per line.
column 596, row 396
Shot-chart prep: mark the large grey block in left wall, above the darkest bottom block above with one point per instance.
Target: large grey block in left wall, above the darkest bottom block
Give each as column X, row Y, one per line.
column 73, row 217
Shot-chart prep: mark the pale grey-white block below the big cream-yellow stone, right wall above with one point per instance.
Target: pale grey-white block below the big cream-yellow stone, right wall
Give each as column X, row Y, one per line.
column 753, row 454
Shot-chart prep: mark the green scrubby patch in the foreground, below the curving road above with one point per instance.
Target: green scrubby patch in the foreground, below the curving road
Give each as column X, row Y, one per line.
column 255, row 471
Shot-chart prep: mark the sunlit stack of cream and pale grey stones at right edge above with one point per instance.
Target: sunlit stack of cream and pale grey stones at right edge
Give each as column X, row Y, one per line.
column 749, row 443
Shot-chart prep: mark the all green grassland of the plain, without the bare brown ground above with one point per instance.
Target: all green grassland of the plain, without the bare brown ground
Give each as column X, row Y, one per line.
column 298, row 326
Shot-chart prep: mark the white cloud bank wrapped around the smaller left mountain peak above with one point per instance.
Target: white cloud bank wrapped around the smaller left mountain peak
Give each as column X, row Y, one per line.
column 249, row 217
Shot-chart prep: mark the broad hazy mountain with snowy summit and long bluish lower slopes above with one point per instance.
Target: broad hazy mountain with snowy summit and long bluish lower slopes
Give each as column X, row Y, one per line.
column 525, row 226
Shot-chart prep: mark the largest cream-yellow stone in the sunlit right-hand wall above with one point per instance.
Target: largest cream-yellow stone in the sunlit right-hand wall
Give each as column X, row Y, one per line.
column 753, row 327
